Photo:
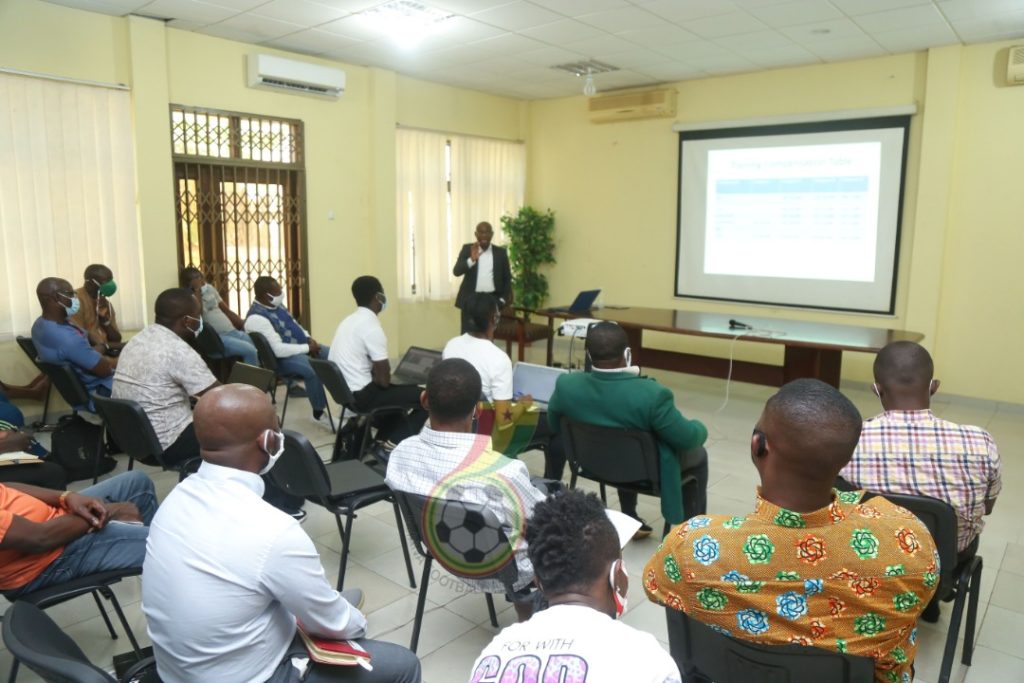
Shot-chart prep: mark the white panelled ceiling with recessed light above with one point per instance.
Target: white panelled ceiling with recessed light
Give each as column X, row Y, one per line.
column 508, row 49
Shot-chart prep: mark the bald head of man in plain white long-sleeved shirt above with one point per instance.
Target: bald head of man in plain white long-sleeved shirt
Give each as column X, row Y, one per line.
column 230, row 423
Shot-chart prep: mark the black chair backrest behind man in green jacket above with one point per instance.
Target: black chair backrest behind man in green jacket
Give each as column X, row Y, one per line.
column 613, row 455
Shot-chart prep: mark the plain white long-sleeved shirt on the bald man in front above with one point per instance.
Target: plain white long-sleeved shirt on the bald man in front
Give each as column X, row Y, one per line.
column 226, row 578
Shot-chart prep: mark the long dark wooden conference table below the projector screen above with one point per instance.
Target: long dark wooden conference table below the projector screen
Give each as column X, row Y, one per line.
column 812, row 350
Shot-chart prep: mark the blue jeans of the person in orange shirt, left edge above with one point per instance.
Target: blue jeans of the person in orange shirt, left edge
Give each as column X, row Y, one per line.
column 117, row 546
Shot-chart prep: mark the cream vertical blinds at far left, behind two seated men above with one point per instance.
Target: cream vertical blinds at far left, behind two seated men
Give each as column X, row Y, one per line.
column 67, row 195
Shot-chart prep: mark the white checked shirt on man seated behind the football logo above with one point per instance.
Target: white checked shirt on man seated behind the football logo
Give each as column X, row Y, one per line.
column 426, row 463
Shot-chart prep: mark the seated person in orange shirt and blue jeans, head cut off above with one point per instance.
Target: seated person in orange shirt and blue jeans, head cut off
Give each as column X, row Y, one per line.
column 51, row 537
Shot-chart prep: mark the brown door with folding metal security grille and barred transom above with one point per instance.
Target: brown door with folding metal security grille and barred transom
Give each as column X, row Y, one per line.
column 239, row 181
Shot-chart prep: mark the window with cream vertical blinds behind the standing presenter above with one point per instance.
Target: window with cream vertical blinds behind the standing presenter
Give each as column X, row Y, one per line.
column 446, row 186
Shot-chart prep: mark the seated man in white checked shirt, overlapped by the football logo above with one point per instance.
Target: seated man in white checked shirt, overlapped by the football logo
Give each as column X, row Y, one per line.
column 447, row 460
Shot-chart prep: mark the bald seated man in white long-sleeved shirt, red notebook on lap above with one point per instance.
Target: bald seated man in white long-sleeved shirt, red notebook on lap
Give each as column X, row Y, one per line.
column 249, row 573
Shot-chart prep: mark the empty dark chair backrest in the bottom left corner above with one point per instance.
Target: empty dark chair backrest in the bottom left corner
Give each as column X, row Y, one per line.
column 42, row 647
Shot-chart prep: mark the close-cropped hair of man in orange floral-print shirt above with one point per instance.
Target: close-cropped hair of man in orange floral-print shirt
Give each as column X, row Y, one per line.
column 821, row 425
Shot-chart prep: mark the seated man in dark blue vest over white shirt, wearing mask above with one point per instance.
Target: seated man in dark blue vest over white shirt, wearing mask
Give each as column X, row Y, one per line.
column 291, row 345
